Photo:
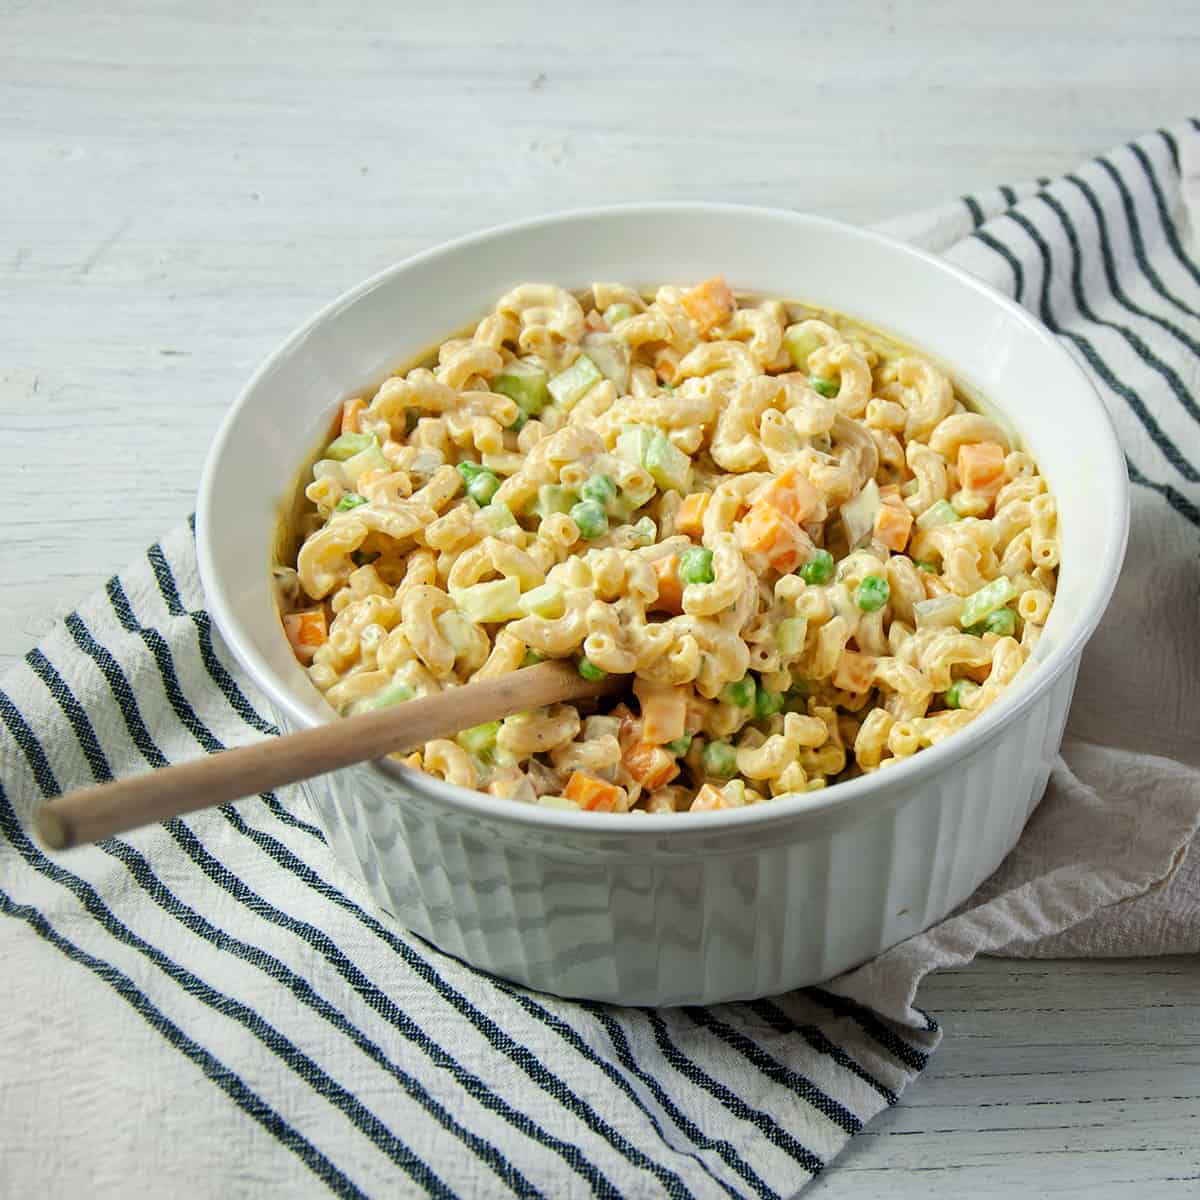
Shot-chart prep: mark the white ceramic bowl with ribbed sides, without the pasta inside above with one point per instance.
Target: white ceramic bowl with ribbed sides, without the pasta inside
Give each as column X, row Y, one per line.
column 680, row 909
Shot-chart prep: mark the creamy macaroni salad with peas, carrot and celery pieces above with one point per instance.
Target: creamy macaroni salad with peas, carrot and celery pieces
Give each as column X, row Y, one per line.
column 812, row 559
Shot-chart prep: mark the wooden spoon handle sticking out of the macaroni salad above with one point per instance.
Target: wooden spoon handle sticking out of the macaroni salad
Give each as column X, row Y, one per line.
column 97, row 813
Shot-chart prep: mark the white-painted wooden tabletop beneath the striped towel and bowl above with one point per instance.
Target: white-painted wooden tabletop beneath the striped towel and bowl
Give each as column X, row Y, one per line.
column 184, row 184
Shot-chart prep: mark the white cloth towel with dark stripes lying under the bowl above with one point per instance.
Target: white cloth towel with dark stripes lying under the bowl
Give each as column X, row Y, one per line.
column 213, row 1006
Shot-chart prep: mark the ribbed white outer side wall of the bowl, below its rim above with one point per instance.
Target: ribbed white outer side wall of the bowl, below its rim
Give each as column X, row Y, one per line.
column 673, row 921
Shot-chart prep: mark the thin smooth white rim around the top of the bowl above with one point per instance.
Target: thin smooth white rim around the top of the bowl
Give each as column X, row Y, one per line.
column 848, row 795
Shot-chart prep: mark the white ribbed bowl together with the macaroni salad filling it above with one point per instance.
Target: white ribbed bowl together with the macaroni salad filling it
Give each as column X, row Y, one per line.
column 843, row 517
